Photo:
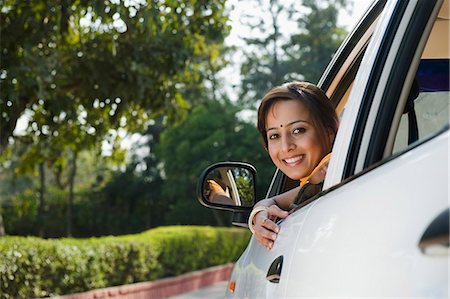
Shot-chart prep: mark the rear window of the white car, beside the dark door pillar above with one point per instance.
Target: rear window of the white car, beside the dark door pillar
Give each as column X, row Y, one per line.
column 414, row 105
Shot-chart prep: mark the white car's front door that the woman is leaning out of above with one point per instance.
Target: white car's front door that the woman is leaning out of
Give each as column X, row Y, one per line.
column 251, row 277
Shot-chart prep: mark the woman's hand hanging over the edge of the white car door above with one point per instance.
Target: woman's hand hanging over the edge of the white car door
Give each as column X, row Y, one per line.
column 266, row 230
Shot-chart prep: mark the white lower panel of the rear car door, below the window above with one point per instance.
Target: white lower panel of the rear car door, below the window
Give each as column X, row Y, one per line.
column 374, row 223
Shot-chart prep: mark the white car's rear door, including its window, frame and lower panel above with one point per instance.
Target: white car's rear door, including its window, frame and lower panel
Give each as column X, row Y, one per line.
column 364, row 236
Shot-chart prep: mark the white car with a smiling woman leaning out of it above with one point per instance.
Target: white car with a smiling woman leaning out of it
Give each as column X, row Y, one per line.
column 380, row 226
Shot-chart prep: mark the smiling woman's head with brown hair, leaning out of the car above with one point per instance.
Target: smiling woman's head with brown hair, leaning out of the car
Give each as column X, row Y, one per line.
column 294, row 118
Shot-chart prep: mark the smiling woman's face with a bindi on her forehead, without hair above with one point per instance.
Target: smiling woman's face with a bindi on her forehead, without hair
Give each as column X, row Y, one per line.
column 293, row 143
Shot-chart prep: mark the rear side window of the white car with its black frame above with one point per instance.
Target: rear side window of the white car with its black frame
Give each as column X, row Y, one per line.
column 390, row 90
